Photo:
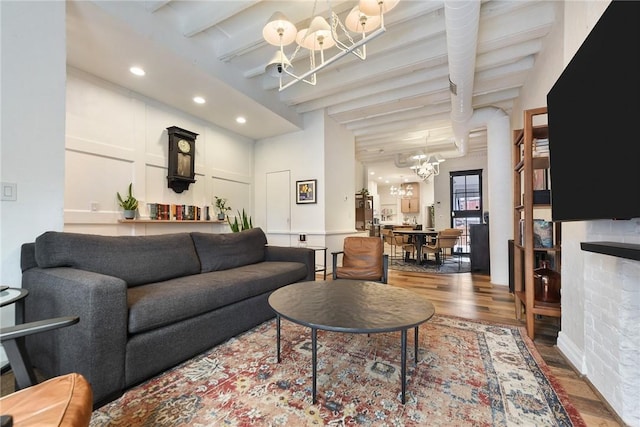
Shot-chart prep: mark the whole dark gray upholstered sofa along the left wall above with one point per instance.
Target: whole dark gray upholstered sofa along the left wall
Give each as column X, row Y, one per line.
column 147, row 303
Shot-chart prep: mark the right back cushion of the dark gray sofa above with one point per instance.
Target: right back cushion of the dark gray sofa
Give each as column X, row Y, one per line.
column 229, row 250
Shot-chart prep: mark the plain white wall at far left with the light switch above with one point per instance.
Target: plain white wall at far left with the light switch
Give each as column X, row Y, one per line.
column 32, row 122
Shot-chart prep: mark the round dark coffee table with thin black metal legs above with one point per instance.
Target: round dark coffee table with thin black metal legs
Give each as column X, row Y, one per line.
column 351, row 306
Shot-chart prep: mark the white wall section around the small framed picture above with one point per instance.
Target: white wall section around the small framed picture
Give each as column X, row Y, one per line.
column 324, row 151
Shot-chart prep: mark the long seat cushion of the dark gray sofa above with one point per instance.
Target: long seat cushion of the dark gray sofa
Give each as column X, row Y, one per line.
column 159, row 304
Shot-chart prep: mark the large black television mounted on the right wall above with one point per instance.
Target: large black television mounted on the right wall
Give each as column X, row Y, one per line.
column 594, row 123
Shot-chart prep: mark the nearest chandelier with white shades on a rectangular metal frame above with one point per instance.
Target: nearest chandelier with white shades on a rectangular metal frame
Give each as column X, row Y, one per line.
column 321, row 35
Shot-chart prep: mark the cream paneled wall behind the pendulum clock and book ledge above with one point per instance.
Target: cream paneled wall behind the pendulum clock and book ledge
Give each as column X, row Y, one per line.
column 114, row 133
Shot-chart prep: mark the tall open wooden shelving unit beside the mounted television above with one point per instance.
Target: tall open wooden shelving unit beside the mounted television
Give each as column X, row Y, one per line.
column 525, row 209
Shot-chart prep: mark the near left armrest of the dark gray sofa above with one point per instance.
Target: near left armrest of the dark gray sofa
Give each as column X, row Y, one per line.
column 95, row 347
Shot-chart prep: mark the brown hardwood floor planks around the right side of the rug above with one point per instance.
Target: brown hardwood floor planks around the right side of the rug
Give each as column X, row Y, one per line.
column 472, row 296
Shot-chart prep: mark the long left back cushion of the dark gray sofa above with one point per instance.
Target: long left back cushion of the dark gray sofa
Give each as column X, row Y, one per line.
column 135, row 259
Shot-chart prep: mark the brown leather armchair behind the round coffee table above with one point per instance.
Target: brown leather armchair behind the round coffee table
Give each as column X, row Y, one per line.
column 363, row 258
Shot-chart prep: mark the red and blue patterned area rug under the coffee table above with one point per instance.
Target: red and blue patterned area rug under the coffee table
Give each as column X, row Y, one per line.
column 469, row 373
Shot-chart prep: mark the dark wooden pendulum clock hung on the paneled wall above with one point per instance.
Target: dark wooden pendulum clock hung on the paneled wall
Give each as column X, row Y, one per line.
column 182, row 157
